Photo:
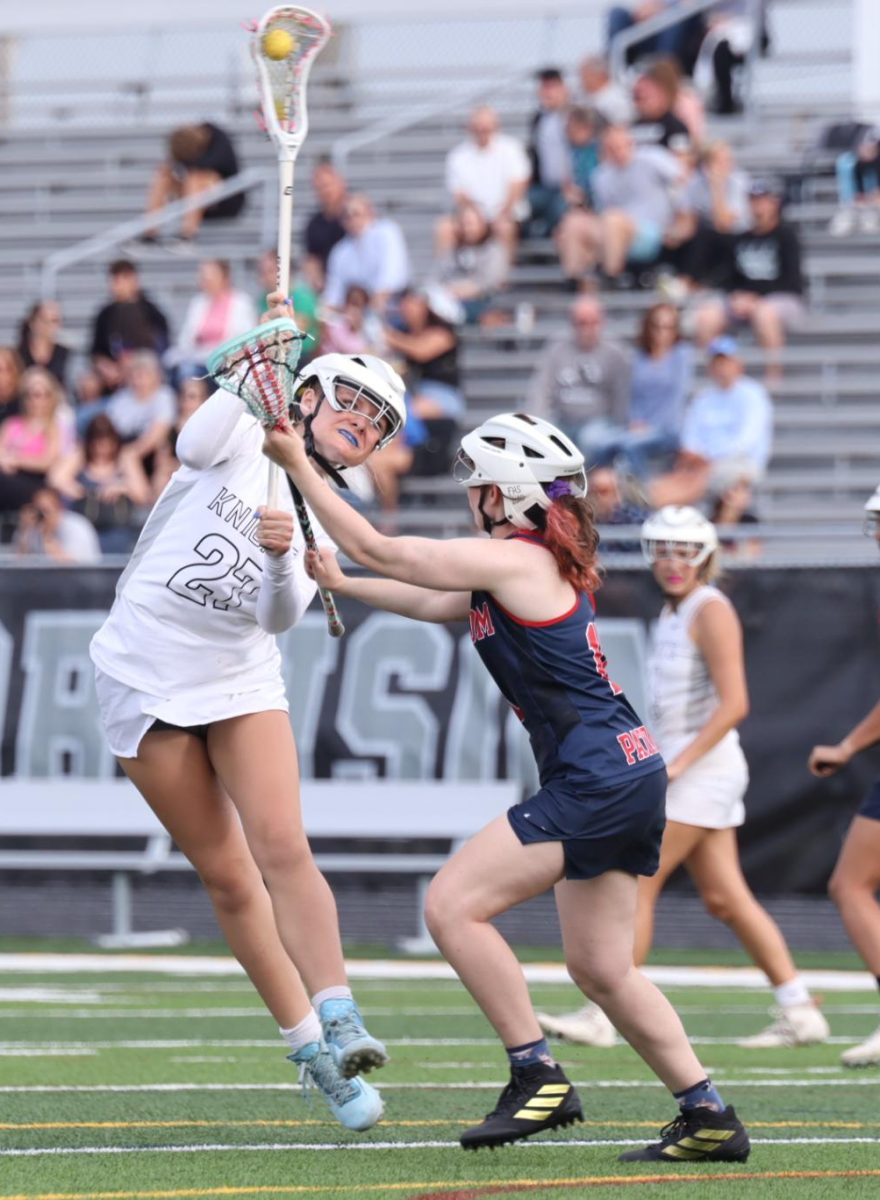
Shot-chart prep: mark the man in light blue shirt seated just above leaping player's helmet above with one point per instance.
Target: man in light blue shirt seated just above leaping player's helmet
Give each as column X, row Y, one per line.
column 373, row 255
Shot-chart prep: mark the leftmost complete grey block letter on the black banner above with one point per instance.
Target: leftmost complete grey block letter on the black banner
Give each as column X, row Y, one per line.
column 59, row 733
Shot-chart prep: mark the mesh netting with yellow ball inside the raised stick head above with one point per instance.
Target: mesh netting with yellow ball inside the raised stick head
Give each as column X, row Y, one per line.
column 284, row 49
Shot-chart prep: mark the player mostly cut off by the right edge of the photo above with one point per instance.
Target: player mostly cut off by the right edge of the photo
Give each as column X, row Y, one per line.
column 855, row 883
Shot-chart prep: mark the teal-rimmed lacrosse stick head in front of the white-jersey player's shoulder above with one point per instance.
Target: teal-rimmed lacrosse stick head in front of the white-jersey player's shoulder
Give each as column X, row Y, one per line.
column 260, row 368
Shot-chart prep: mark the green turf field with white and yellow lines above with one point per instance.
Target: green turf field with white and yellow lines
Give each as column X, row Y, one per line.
column 147, row 1085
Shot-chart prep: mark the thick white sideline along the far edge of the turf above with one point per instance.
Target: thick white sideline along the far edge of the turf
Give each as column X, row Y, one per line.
column 420, row 969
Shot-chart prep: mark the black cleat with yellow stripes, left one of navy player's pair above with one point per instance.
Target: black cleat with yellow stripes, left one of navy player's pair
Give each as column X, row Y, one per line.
column 536, row 1099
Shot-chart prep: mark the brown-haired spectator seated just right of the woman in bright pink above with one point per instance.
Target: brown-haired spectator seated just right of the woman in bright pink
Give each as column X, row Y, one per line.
column 106, row 485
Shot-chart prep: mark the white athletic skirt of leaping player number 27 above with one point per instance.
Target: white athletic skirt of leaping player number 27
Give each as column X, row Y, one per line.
column 127, row 713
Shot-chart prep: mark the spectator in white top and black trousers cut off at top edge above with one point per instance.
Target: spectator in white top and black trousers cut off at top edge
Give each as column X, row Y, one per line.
column 732, row 33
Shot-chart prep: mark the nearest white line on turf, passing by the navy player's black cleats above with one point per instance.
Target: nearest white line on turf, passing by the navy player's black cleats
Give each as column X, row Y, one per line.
column 213, row 1148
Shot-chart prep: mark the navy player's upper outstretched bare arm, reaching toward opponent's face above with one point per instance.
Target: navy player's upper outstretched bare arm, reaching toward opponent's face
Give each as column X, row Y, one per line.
column 462, row 565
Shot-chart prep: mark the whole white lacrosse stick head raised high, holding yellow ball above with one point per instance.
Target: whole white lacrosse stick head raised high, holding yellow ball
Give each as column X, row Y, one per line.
column 285, row 45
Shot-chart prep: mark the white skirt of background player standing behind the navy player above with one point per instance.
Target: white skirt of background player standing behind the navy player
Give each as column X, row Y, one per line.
column 710, row 795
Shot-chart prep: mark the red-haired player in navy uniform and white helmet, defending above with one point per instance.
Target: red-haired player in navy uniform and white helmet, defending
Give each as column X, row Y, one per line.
column 596, row 823
